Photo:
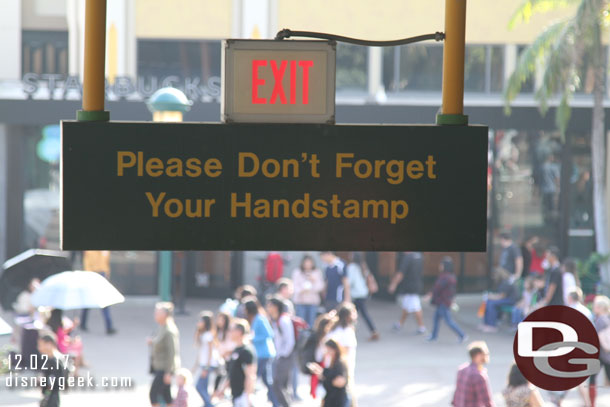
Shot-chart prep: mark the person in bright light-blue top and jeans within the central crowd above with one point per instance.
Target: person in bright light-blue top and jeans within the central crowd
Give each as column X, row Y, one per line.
column 262, row 339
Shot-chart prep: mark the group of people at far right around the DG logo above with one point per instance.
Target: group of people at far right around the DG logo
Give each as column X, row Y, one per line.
column 529, row 278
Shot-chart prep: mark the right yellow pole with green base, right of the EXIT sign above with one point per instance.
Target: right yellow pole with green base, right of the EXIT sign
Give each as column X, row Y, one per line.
column 452, row 111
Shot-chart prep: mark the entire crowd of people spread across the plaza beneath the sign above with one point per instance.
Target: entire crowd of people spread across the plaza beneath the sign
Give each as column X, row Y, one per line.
column 304, row 326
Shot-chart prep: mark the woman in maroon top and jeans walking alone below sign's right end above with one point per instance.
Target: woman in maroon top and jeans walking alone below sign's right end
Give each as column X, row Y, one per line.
column 442, row 297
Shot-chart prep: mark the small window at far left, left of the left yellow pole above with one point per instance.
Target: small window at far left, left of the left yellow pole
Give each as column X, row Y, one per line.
column 44, row 52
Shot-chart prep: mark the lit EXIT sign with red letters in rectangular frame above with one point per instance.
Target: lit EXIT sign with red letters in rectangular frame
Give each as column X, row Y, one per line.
column 270, row 81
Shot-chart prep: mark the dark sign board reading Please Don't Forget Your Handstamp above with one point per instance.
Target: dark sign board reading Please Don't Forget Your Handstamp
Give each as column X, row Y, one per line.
column 200, row 186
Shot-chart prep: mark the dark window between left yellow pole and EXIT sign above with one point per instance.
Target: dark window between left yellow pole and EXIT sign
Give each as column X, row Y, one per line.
column 185, row 59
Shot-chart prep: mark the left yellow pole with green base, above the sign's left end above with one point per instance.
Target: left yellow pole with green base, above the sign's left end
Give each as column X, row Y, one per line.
column 95, row 62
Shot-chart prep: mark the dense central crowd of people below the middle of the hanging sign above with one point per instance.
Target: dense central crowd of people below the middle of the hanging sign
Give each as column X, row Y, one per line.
column 306, row 326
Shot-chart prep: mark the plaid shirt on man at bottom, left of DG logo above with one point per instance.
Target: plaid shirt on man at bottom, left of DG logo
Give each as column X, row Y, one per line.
column 472, row 388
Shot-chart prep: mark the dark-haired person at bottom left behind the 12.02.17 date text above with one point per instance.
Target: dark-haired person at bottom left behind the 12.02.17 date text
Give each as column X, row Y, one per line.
column 54, row 370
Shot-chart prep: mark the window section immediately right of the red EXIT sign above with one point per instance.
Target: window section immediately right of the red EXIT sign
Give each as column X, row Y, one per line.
column 352, row 67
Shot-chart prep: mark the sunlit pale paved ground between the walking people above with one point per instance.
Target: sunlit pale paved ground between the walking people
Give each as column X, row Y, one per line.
column 400, row 370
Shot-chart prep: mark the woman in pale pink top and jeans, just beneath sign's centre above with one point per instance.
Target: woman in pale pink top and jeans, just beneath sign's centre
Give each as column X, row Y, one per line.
column 308, row 284
